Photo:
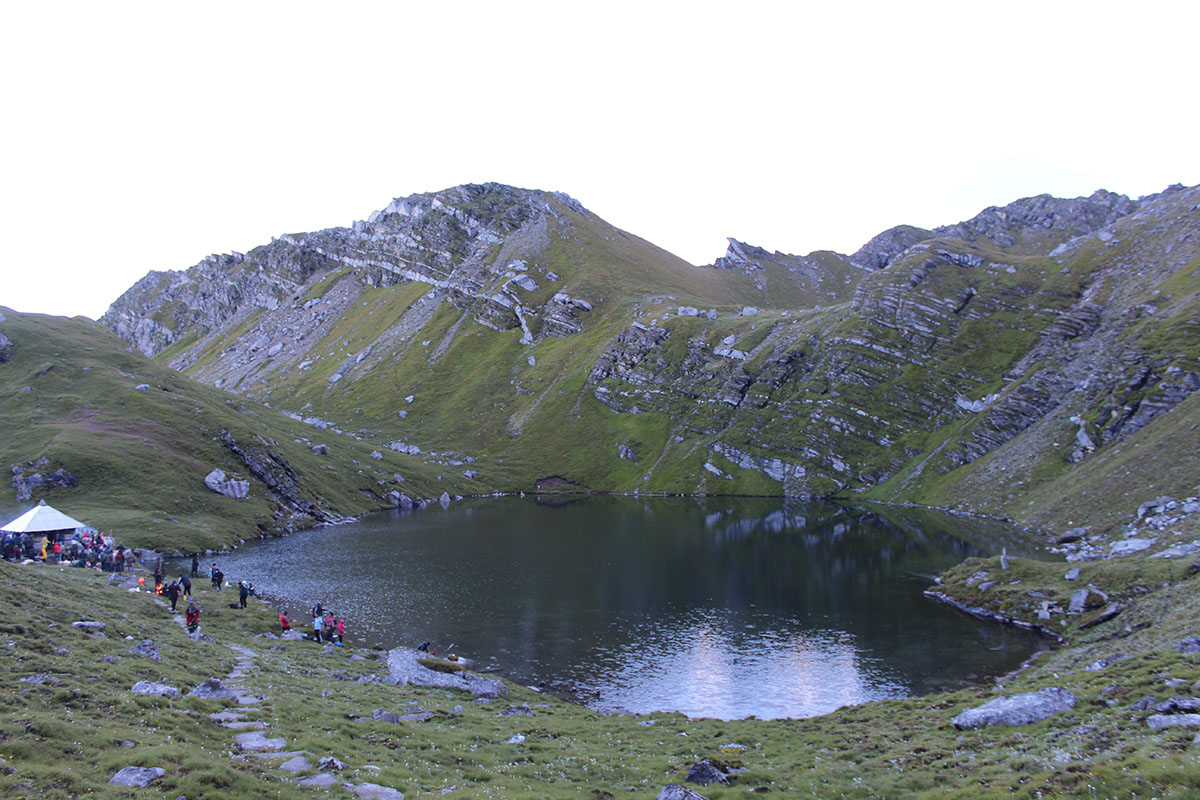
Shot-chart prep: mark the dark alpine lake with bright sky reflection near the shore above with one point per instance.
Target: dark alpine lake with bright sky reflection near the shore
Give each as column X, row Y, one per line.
column 709, row 606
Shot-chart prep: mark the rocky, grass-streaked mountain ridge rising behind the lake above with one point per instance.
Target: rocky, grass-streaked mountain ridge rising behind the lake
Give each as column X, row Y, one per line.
column 519, row 328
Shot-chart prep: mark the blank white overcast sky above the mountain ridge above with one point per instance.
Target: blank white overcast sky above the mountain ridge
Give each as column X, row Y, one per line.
column 143, row 137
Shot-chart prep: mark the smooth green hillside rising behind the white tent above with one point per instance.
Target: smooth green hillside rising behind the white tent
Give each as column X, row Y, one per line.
column 69, row 396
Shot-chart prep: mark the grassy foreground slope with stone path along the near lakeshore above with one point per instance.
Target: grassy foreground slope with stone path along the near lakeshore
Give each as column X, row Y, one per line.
column 67, row 739
